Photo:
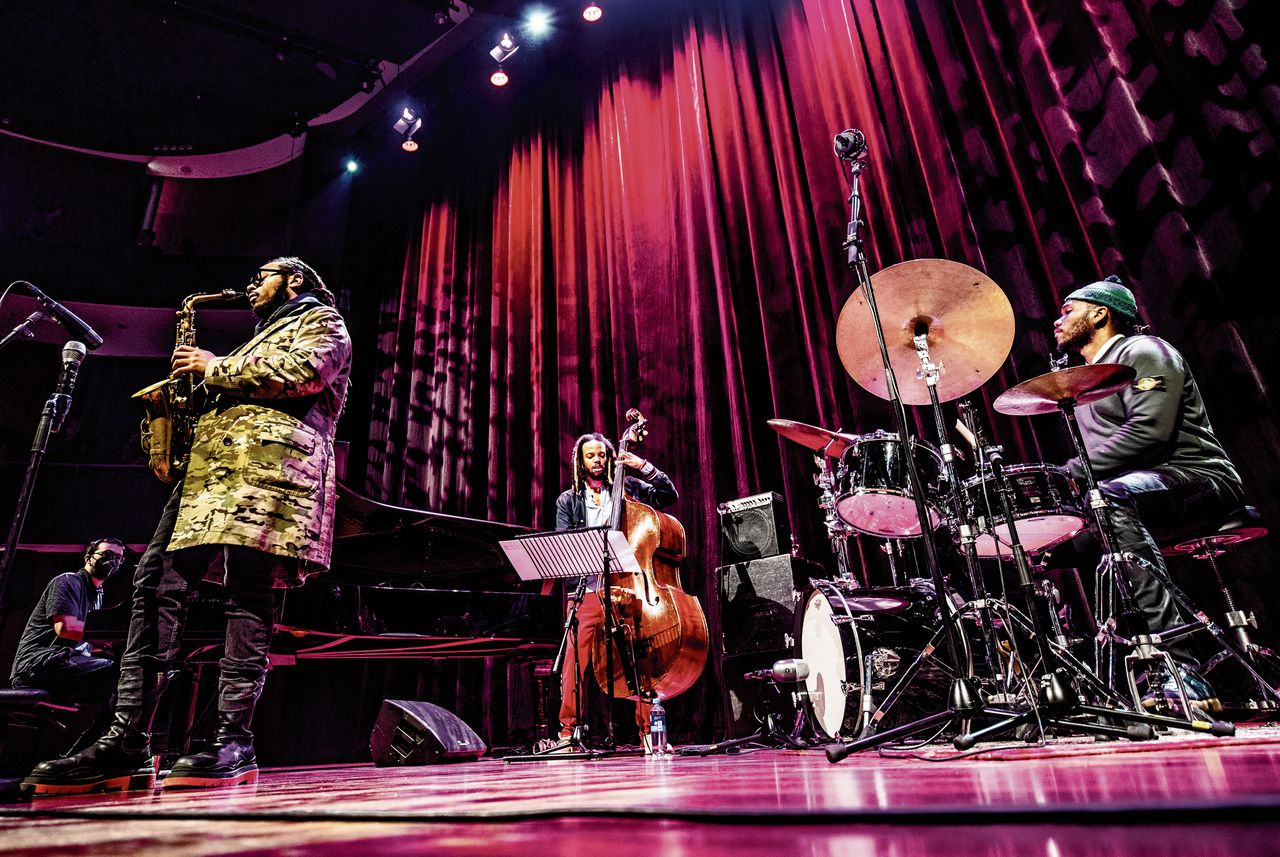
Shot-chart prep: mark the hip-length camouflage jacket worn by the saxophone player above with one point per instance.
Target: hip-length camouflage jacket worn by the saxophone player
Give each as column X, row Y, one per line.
column 262, row 471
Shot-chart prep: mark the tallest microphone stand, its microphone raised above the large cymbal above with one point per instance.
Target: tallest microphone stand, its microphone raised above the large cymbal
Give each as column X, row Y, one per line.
column 964, row 696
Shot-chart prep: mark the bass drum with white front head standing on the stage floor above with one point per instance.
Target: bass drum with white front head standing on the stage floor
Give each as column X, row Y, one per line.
column 858, row 638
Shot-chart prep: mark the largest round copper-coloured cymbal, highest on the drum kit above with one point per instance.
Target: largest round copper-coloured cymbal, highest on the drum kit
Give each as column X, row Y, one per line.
column 966, row 317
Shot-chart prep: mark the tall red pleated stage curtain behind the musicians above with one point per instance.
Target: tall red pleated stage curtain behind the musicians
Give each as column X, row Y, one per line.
column 674, row 245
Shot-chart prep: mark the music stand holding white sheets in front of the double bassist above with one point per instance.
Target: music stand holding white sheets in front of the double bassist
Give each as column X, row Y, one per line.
column 563, row 554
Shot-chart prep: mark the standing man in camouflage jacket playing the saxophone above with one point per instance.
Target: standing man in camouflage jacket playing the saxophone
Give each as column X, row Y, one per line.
column 257, row 503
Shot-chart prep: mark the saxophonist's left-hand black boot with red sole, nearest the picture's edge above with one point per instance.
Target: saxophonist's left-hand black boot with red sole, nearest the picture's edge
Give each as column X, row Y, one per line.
column 120, row 762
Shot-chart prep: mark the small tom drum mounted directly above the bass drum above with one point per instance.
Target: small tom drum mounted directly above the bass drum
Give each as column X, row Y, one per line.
column 876, row 489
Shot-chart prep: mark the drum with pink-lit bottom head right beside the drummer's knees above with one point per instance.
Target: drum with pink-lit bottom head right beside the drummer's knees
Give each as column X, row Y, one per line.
column 1046, row 505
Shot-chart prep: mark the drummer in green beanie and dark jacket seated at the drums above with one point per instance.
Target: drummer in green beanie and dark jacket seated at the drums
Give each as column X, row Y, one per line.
column 1153, row 451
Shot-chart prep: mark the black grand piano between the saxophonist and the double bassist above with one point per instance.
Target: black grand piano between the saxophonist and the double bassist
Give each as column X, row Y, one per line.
column 403, row 584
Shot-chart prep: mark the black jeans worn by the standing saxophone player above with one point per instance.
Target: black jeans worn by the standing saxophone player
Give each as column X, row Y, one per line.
column 161, row 589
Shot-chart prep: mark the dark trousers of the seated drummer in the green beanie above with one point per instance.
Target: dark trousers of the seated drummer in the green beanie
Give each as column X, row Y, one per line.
column 1153, row 507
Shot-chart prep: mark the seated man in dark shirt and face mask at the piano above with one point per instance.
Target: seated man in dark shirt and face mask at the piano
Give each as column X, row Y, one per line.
column 53, row 656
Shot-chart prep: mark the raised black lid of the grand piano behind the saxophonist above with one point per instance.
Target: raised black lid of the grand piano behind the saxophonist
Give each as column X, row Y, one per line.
column 377, row 543
